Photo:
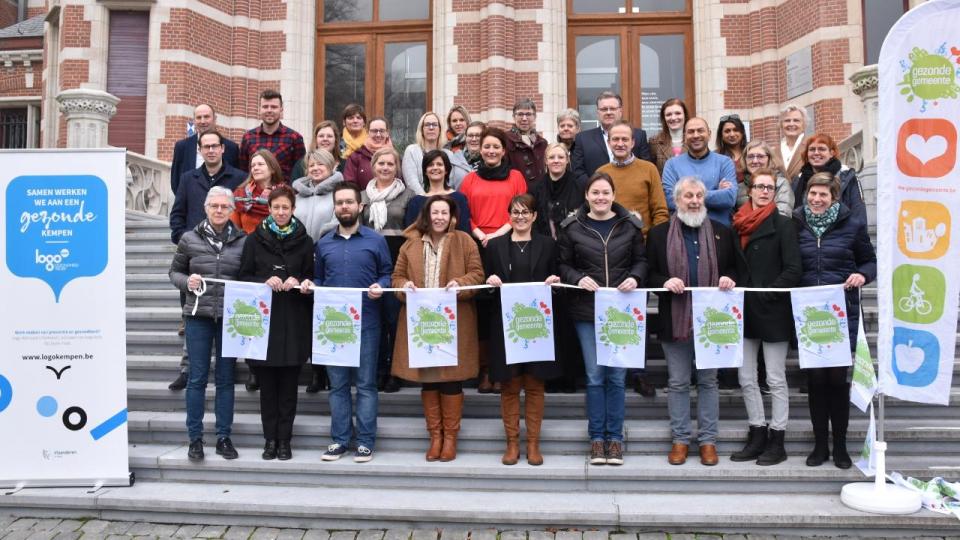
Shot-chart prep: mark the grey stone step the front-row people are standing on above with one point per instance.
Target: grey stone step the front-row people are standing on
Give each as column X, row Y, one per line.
column 483, row 471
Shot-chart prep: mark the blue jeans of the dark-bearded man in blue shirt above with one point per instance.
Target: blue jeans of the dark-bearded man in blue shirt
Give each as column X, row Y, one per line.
column 341, row 406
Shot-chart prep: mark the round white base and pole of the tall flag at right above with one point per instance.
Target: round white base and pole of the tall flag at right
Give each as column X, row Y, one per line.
column 879, row 497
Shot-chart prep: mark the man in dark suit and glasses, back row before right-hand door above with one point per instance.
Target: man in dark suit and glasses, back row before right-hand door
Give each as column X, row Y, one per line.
column 590, row 149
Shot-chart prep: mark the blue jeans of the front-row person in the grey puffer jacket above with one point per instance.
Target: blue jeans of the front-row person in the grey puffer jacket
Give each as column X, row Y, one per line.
column 201, row 333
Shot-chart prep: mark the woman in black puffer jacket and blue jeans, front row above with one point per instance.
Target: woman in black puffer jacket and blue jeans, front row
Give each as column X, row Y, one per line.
column 601, row 246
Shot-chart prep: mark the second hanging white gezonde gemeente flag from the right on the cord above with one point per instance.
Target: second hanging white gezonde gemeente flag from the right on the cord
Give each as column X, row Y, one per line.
column 718, row 328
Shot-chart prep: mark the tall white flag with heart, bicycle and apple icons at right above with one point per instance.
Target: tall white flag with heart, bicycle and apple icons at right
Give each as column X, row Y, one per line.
column 917, row 197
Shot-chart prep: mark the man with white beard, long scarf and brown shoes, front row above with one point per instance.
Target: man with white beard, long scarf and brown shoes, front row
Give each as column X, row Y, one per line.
column 689, row 251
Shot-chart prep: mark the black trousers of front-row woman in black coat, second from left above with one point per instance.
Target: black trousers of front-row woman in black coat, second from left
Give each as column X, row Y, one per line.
column 278, row 400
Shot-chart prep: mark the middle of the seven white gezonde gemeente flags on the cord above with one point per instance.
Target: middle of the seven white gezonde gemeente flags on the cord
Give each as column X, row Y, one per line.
column 527, row 316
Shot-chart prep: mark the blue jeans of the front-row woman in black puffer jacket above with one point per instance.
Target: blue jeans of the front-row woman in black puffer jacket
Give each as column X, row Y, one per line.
column 605, row 393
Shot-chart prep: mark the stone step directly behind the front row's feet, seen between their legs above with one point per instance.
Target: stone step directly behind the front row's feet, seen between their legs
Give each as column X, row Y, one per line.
column 558, row 436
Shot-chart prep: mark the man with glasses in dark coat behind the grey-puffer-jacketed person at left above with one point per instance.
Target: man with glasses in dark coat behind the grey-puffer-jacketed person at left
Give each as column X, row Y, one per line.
column 188, row 208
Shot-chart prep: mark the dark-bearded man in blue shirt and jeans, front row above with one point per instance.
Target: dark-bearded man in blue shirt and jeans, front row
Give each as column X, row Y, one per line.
column 354, row 256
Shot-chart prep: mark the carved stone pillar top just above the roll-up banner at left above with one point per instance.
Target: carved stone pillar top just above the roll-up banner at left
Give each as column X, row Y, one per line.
column 88, row 114
